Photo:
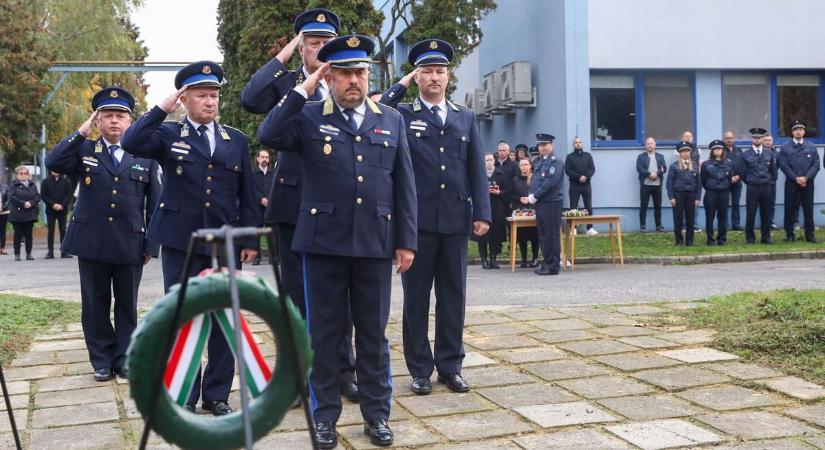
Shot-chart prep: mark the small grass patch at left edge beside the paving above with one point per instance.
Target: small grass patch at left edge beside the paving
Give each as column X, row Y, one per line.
column 23, row 317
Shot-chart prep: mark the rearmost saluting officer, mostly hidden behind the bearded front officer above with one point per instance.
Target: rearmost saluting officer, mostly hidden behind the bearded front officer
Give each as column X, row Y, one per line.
column 268, row 85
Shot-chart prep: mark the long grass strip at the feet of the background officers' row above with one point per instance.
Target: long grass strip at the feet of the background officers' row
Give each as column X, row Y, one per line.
column 663, row 244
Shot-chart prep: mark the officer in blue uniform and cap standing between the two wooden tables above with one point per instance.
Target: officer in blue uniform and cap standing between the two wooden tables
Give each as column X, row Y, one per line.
column 545, row 193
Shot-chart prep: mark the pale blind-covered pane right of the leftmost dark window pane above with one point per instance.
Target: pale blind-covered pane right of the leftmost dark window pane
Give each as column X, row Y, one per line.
column 668, row 106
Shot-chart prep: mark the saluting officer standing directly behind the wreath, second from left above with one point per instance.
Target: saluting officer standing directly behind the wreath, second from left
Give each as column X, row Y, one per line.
column 209, row 183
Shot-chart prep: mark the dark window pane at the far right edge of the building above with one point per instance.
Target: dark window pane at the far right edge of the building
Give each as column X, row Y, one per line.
column 797, row 97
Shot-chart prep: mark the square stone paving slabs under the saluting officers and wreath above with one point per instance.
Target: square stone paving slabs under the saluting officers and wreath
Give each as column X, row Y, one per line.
column 543, row 378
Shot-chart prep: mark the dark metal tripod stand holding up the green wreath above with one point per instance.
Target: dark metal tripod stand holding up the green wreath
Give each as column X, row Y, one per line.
column 227, row 235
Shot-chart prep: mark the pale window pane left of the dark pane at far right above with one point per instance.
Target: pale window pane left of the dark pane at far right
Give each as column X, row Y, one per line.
column 746, row 103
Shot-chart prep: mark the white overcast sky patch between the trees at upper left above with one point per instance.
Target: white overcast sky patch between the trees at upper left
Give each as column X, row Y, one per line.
column 176, row 31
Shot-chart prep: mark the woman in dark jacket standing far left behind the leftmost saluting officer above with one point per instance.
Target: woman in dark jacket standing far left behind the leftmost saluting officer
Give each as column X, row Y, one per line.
column 24, row 205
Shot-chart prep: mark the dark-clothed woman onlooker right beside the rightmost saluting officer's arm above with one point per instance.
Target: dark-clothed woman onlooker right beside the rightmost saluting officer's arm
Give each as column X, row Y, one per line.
column 489, row 245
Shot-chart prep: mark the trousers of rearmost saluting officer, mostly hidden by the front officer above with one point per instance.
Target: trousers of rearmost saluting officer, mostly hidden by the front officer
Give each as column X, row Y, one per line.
column 292, row 276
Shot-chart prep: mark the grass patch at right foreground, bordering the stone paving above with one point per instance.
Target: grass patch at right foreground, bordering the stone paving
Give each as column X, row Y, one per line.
column 782, row 329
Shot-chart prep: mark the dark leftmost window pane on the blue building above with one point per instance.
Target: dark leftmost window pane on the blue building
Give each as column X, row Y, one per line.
column 612, row 108
